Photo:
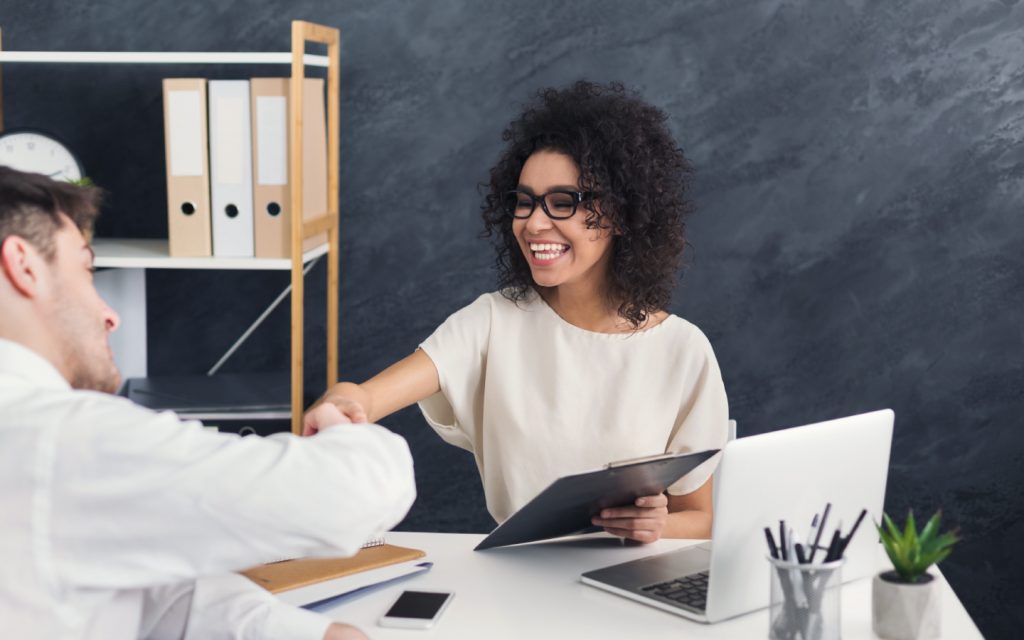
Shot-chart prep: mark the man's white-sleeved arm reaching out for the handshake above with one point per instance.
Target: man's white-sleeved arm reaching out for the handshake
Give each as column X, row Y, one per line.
column 141, row 499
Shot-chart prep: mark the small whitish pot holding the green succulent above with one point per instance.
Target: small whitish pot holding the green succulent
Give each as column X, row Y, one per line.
column 906, row 612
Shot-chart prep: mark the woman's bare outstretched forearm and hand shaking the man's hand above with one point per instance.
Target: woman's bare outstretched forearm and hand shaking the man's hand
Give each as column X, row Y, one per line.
column 408, row 381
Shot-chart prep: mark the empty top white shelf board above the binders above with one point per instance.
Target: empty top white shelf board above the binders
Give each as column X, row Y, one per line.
column 161, row 58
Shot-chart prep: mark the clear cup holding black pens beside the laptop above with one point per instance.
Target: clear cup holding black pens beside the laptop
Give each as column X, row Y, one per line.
column 805, row 601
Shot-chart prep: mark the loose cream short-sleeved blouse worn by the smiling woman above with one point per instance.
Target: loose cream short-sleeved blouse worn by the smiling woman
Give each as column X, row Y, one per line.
column 535, row 398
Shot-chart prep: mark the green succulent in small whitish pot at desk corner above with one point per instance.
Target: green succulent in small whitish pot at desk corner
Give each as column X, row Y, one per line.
column 906, row 602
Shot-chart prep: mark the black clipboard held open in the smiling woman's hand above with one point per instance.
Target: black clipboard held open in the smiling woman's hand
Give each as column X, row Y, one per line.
column 569, row 503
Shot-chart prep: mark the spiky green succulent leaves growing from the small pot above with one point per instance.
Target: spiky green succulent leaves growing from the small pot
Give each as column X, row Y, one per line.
column 912, row 553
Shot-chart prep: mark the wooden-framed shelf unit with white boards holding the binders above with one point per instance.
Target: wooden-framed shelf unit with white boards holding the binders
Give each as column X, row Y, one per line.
column 122, row 253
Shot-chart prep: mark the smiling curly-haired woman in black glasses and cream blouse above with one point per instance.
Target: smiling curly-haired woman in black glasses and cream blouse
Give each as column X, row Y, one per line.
column 575, row 363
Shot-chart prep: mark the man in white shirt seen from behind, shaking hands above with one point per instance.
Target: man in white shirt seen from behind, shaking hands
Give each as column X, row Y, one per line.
column 109, row 513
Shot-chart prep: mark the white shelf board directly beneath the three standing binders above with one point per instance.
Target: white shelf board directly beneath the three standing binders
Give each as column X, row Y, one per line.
column 153, row 254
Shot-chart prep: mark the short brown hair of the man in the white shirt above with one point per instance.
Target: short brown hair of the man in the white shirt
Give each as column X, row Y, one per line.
column 31, row 205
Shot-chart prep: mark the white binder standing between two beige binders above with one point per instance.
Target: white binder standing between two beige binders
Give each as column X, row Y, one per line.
column 231, row 168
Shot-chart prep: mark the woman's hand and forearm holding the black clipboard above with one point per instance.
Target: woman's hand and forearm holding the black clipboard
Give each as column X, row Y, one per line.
column 653, row 518
